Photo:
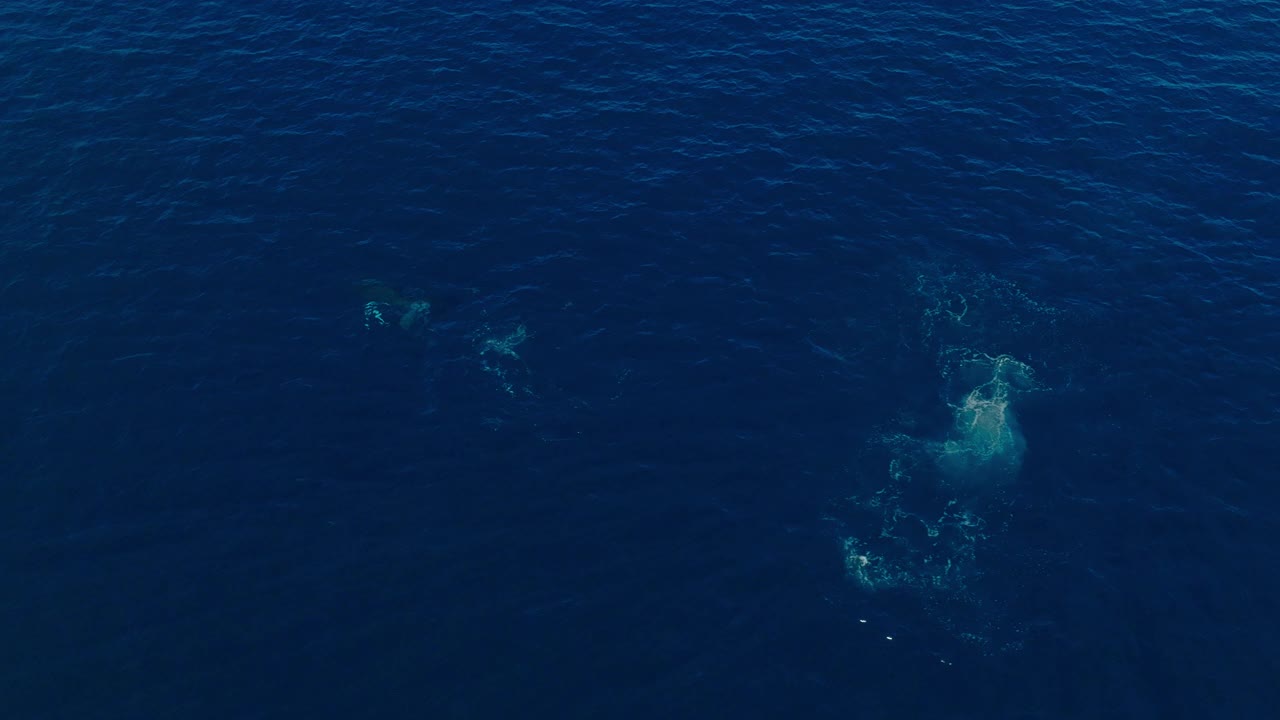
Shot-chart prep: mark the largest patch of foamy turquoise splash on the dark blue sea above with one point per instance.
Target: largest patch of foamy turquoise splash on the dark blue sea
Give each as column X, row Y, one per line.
column 925, row 531
